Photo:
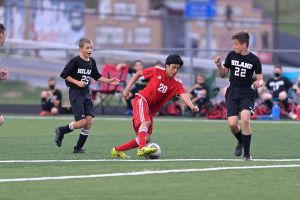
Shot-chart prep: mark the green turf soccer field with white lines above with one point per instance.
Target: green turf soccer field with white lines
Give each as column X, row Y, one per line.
column 197, row 162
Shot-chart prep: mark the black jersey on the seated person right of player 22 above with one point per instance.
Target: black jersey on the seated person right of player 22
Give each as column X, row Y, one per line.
column 279, row 85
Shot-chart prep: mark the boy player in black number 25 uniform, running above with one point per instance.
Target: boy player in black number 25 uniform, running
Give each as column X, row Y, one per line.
column 77, row 74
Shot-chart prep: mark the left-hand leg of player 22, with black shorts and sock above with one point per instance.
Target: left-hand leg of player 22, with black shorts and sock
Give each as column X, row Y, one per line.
column 232, row 105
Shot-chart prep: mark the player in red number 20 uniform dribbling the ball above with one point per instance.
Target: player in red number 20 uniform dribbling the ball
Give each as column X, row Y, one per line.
column 163, row 84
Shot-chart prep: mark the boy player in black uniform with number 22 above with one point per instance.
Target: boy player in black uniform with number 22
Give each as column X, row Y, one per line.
column 239, row 95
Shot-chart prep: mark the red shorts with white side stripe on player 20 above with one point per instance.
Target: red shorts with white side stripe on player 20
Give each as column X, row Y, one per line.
column 141, row 114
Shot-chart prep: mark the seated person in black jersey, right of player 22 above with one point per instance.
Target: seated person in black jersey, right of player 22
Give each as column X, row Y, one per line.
column 276, row 89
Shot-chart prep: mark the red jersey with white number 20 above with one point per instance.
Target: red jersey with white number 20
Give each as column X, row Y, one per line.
column 160, row 88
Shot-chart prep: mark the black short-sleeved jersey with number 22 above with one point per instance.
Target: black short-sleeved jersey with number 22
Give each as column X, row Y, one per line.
column 242, row 68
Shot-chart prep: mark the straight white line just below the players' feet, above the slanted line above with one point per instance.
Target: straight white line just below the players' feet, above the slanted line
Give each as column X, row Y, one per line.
column 158, row 160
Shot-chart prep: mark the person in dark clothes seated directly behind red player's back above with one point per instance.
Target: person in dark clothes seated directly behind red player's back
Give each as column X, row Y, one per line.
column 139, row 85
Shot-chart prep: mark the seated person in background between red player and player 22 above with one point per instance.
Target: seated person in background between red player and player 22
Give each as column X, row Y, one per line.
column 199, row 92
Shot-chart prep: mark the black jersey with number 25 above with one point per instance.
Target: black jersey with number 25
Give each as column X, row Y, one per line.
column 80, row 70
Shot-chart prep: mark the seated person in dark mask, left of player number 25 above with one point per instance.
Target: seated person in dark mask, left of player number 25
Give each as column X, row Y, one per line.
column 51, row 99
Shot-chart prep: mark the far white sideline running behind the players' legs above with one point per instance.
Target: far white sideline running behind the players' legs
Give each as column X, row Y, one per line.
column 118, row 118
